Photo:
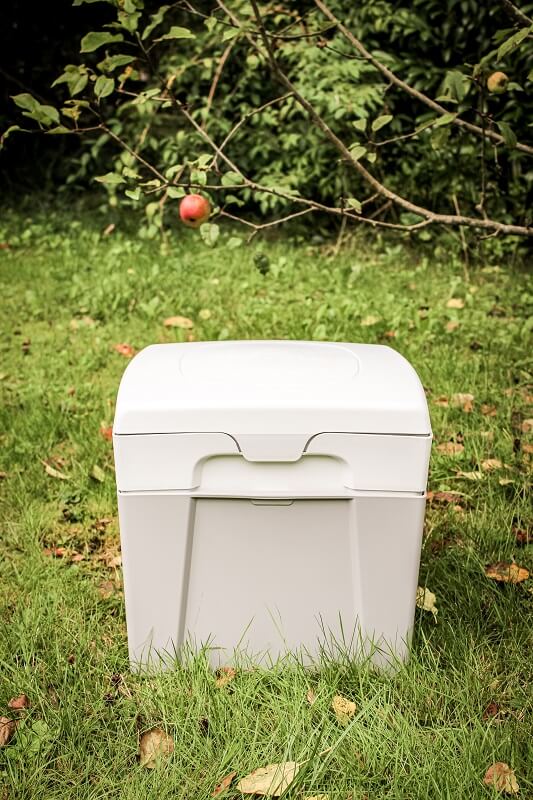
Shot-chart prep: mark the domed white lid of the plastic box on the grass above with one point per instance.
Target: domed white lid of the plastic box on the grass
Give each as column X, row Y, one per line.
column 274, row 387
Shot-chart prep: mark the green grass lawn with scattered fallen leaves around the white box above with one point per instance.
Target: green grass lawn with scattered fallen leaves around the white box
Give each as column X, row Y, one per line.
column 68, row 295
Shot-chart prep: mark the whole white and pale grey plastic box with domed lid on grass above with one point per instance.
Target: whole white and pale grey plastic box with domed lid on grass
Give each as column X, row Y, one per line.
column 271, row 499
